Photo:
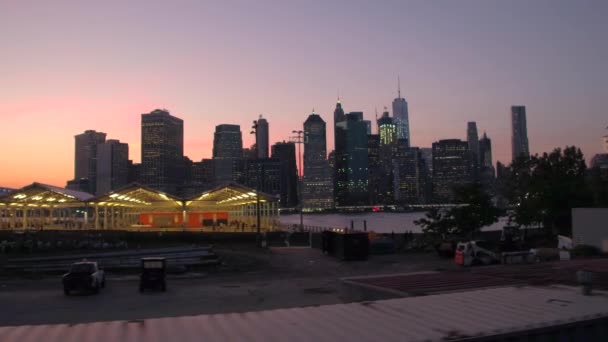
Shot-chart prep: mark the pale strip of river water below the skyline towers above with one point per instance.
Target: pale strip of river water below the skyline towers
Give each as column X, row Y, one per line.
column 378, row 222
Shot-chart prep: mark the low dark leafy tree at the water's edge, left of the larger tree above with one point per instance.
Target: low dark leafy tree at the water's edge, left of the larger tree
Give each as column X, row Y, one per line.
column 476, row 211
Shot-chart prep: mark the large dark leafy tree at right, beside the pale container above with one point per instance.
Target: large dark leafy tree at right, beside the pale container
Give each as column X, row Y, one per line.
column 544, row 189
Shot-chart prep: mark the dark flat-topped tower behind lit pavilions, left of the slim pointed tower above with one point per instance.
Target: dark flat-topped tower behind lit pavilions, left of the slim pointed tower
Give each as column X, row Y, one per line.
column 227, row 153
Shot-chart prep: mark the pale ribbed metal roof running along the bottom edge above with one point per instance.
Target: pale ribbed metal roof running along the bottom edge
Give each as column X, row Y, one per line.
column 428, row 318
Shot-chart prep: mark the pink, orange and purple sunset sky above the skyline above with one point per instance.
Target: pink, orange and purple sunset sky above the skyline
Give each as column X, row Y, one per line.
column 70, row 66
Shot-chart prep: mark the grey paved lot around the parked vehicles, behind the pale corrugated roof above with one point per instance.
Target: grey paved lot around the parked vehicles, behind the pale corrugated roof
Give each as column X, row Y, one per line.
column 249, row 281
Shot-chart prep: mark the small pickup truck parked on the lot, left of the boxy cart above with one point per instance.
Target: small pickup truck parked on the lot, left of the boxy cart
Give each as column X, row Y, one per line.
column 86, row 276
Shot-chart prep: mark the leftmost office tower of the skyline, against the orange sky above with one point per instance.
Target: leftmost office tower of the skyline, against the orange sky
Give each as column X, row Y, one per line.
column 85, row 165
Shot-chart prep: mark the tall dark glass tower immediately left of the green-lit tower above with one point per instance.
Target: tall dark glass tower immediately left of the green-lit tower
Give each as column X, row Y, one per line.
column 351, row 161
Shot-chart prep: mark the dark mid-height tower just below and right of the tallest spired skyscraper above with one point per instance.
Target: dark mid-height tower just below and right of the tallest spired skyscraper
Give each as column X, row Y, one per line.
column 411, row 179
